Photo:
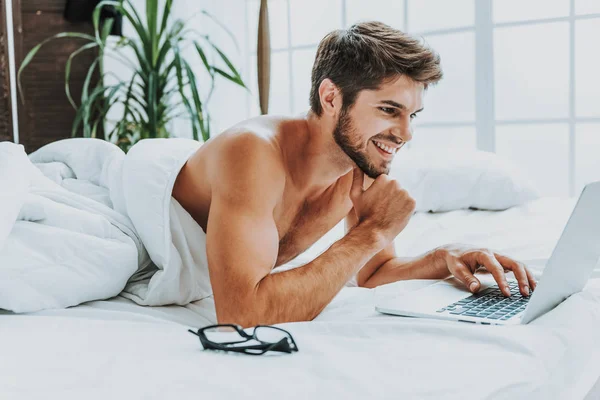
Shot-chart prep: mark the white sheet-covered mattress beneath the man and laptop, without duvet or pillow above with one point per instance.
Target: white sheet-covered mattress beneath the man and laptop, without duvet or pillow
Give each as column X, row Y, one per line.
column 117, row 349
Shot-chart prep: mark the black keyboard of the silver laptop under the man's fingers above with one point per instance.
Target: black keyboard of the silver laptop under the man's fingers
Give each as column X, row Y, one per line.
column 490, row 304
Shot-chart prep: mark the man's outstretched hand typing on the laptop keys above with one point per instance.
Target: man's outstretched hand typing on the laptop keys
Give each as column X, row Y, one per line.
column 462, row 262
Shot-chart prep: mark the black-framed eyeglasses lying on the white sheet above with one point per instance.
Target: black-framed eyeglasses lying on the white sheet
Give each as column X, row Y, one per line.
column 231, row 337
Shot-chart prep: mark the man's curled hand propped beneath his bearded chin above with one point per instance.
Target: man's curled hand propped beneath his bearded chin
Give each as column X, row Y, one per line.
column 385, row 206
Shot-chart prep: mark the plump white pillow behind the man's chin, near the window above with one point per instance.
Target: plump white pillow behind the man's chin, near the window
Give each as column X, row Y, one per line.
column 458, row 179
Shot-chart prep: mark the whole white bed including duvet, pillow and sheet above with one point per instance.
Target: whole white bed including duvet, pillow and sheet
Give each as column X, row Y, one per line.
column 74, row 229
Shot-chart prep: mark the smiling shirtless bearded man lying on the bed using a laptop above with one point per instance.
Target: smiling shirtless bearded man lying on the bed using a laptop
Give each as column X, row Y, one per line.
column 268, row 188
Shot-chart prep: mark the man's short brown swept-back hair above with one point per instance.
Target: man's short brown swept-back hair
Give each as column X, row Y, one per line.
column 368, row 54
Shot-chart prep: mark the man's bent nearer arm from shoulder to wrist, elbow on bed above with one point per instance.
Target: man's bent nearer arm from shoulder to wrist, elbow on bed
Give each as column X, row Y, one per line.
column 242, row 245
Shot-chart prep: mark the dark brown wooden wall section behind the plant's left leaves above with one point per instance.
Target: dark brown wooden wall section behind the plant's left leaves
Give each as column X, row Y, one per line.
column 47, row 115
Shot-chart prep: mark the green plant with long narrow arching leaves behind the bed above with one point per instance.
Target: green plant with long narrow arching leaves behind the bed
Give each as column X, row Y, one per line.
column 163, row 85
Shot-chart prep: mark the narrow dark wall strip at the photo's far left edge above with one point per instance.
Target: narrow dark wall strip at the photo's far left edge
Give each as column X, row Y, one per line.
column 5, row 109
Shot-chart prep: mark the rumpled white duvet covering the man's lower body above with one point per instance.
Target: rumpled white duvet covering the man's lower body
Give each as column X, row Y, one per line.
column 81, row 221
